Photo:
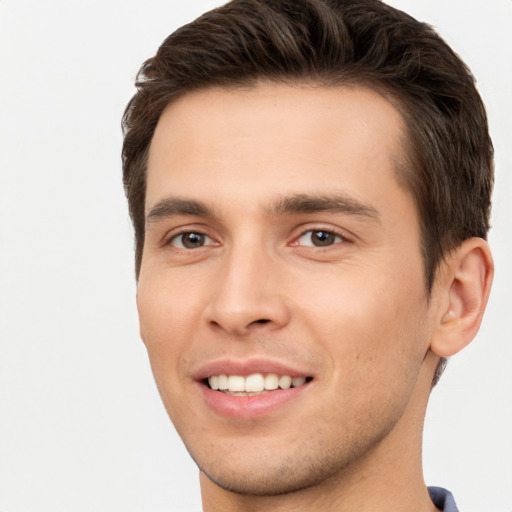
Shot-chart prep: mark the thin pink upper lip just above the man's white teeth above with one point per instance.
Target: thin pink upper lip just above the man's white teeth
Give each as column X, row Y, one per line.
column 245, row 367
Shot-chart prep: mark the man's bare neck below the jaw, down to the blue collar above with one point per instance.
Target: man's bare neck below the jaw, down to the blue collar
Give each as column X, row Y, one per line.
column 388, row 478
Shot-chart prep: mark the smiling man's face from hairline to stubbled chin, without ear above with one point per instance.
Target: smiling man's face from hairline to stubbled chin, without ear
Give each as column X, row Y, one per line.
column 281, row 265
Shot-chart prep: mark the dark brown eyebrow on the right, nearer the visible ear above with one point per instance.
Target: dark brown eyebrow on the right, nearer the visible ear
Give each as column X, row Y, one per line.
column 335, row 203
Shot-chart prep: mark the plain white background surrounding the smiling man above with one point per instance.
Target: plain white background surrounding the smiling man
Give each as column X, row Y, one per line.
column 81, row 426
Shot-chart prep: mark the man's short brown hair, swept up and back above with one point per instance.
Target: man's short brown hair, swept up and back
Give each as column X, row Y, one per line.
column 449, row 167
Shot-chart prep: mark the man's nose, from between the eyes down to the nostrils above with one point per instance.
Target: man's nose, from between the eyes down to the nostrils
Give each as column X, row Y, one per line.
column 247, row 294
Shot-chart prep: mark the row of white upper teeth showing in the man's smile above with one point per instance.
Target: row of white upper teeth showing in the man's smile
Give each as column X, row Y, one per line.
column 255, row 383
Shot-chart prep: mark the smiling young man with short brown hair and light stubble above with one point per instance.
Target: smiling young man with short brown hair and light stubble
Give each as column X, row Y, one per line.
column 310, row 185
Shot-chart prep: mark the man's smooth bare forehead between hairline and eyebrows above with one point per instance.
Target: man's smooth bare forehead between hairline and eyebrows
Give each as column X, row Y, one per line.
column 274, row 138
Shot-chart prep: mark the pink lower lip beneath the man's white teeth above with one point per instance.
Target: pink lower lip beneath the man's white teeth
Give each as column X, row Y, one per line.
column 249, row 407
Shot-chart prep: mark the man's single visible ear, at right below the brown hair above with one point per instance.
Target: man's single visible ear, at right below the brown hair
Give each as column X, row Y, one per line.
column 462, row 288
